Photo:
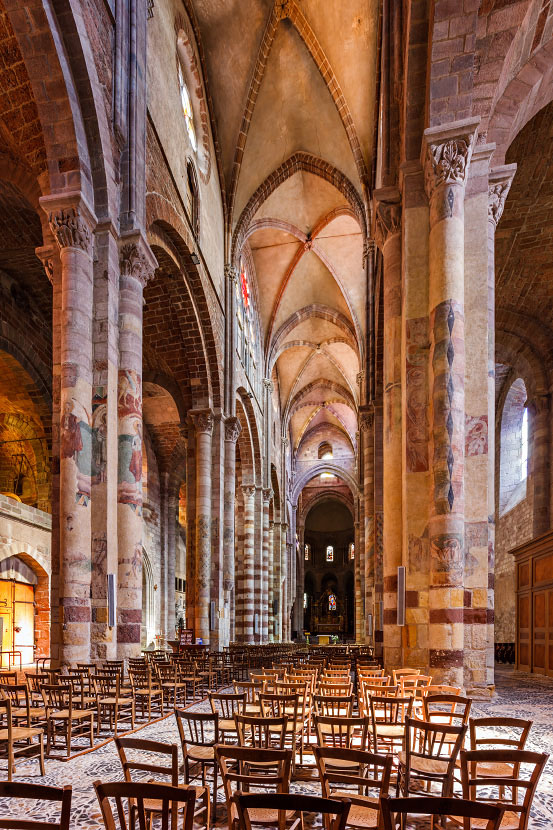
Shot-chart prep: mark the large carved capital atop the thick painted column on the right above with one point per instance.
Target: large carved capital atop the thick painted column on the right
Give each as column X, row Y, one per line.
column 446, row 154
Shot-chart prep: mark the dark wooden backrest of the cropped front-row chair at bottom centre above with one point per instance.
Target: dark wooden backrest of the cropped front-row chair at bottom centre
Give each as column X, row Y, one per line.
column 296, row 803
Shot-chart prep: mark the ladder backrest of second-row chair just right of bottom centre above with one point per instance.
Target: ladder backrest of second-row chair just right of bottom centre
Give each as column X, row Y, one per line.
column 367, row 772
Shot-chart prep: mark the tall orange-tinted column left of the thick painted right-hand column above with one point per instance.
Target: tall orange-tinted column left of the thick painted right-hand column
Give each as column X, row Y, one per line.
column 388, row 234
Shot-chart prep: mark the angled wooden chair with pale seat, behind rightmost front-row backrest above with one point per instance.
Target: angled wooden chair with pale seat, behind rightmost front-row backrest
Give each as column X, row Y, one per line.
column 429, row 756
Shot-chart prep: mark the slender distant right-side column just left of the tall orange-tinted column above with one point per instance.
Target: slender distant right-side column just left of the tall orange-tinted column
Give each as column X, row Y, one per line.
column 366, row 425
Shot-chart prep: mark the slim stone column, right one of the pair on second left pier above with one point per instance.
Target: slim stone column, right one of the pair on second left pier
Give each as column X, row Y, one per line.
column 232, row 432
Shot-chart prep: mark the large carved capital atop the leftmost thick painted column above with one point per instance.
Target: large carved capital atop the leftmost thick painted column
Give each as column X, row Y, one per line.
column 71, row 221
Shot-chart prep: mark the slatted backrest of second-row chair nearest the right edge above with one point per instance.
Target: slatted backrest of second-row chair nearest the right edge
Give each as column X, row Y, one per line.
column 476, row 772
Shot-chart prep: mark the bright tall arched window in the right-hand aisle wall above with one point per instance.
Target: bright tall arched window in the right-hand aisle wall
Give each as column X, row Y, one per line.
column 514, row 442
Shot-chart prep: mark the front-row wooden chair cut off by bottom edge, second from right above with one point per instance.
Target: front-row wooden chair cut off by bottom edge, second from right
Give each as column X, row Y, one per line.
column 272, row 809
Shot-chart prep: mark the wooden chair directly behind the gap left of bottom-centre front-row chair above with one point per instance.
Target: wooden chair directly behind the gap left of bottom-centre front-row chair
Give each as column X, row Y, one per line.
column 236, row 763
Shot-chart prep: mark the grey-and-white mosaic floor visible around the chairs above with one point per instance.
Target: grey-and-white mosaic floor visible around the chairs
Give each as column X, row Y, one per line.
column 516, row 695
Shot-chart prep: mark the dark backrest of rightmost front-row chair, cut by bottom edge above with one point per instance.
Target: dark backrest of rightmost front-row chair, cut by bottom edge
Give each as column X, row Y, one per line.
column 419, row 805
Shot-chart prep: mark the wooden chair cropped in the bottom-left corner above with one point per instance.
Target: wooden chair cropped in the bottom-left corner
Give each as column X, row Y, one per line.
column 16, row 792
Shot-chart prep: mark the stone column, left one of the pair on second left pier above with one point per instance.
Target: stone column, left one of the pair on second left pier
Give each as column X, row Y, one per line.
column 203, row 422
